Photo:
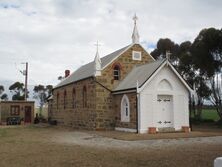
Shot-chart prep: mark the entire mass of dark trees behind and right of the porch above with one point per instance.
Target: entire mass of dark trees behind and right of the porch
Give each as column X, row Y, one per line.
column 200, row 64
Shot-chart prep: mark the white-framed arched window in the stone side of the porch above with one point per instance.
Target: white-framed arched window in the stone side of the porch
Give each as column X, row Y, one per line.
column 125, row 109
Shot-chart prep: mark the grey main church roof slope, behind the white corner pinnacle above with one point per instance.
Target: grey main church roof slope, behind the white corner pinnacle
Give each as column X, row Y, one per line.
column 87, row 70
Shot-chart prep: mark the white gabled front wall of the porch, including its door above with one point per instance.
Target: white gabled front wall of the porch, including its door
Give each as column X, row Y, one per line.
column 163, row 102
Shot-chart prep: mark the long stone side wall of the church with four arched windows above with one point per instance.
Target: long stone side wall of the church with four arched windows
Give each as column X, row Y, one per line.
column 78, row 116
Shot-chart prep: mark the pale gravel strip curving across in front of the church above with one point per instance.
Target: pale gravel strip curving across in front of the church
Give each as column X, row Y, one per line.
column 92, row 140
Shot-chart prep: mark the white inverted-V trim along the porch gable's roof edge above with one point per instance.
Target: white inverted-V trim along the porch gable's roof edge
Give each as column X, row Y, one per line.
column 157, row 71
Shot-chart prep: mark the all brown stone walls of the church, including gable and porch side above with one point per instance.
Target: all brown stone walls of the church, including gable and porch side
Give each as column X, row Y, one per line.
column 102, row 111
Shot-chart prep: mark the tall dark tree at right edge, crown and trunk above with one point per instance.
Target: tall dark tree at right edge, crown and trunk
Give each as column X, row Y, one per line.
column 207, row 56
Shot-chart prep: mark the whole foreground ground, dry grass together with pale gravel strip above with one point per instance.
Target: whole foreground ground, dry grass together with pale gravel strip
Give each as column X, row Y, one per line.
column 58, row 147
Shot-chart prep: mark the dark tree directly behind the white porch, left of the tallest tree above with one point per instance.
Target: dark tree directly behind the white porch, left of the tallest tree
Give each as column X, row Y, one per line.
column 182, row 59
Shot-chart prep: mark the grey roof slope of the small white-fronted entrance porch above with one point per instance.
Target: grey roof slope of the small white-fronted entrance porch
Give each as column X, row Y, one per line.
column 139, row 74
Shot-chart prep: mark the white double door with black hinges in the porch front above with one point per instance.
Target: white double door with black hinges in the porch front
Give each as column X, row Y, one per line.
column 165, row 110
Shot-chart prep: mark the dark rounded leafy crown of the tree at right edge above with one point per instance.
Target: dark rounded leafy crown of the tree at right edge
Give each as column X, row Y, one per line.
column 207, row 51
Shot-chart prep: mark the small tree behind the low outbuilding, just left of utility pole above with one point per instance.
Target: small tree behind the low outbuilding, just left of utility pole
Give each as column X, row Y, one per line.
column 18, row 91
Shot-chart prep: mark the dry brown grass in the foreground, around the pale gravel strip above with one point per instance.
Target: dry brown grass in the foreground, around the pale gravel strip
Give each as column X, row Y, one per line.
column 33, row 146
